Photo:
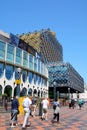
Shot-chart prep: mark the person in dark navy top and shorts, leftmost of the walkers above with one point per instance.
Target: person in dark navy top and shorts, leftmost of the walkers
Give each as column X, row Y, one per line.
column 14, row 111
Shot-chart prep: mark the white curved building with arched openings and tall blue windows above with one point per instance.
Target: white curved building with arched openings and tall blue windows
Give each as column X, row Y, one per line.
column 21, row 69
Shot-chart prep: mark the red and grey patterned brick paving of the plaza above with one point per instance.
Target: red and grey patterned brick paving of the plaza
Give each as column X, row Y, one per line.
column 70, row 119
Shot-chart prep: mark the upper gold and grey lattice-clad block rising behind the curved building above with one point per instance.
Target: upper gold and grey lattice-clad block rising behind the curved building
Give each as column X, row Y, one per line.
column 46, row 43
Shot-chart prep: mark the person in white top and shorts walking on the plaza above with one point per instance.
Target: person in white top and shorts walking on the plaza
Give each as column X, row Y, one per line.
column 45, row 104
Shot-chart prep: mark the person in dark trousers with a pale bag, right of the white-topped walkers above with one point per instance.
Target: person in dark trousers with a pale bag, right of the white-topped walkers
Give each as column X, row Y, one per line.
column 56, row 109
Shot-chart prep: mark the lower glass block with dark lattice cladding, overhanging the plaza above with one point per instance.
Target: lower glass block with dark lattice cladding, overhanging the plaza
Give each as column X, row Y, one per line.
column 63, row 78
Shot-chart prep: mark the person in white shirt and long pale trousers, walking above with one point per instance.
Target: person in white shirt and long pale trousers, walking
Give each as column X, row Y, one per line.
column 26, row 105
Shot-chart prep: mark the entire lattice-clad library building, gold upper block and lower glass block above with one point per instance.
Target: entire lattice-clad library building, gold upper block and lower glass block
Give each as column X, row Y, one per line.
column 67, row 79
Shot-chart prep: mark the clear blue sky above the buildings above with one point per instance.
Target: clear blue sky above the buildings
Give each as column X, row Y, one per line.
column 67, row 18
